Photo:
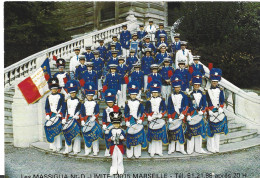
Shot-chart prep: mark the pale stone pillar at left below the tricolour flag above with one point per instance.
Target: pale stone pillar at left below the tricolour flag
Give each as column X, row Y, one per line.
column 25, row 120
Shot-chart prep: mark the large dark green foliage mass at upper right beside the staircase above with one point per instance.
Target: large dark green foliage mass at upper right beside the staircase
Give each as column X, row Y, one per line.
column 227, row 34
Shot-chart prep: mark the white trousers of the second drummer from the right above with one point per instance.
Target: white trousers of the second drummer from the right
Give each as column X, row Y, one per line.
column 195, row 142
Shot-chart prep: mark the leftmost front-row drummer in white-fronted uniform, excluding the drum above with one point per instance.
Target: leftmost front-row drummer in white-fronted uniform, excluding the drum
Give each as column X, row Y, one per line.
column 53, row 107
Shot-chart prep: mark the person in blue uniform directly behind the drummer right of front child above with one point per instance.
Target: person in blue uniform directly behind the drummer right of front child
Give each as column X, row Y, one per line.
column 138, row 76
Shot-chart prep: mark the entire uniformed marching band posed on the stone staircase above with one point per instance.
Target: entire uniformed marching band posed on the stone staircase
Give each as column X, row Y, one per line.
column 177, row 108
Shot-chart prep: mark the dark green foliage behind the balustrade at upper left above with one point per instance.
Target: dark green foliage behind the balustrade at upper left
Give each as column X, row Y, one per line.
column 29, row 28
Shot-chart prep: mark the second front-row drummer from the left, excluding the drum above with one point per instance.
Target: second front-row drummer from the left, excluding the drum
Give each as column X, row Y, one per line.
column 71, row 110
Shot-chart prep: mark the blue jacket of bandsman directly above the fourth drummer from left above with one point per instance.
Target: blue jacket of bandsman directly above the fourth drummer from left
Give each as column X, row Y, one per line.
column 113, row 82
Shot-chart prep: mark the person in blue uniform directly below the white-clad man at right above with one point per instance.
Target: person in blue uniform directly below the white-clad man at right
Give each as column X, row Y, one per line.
column 186, row 76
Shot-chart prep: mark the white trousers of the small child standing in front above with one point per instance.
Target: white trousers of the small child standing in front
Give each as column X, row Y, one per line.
column 117, row 162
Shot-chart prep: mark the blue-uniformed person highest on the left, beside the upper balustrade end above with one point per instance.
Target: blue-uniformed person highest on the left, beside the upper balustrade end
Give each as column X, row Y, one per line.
column 125, row 37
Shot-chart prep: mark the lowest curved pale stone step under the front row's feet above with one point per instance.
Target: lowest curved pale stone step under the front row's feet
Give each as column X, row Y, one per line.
column 226, row 148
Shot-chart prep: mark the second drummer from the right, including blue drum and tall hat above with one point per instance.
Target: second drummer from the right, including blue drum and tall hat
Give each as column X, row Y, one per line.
column 197, row 107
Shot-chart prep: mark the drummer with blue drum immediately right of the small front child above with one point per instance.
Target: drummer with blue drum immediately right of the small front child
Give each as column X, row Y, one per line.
column 134, row 117
